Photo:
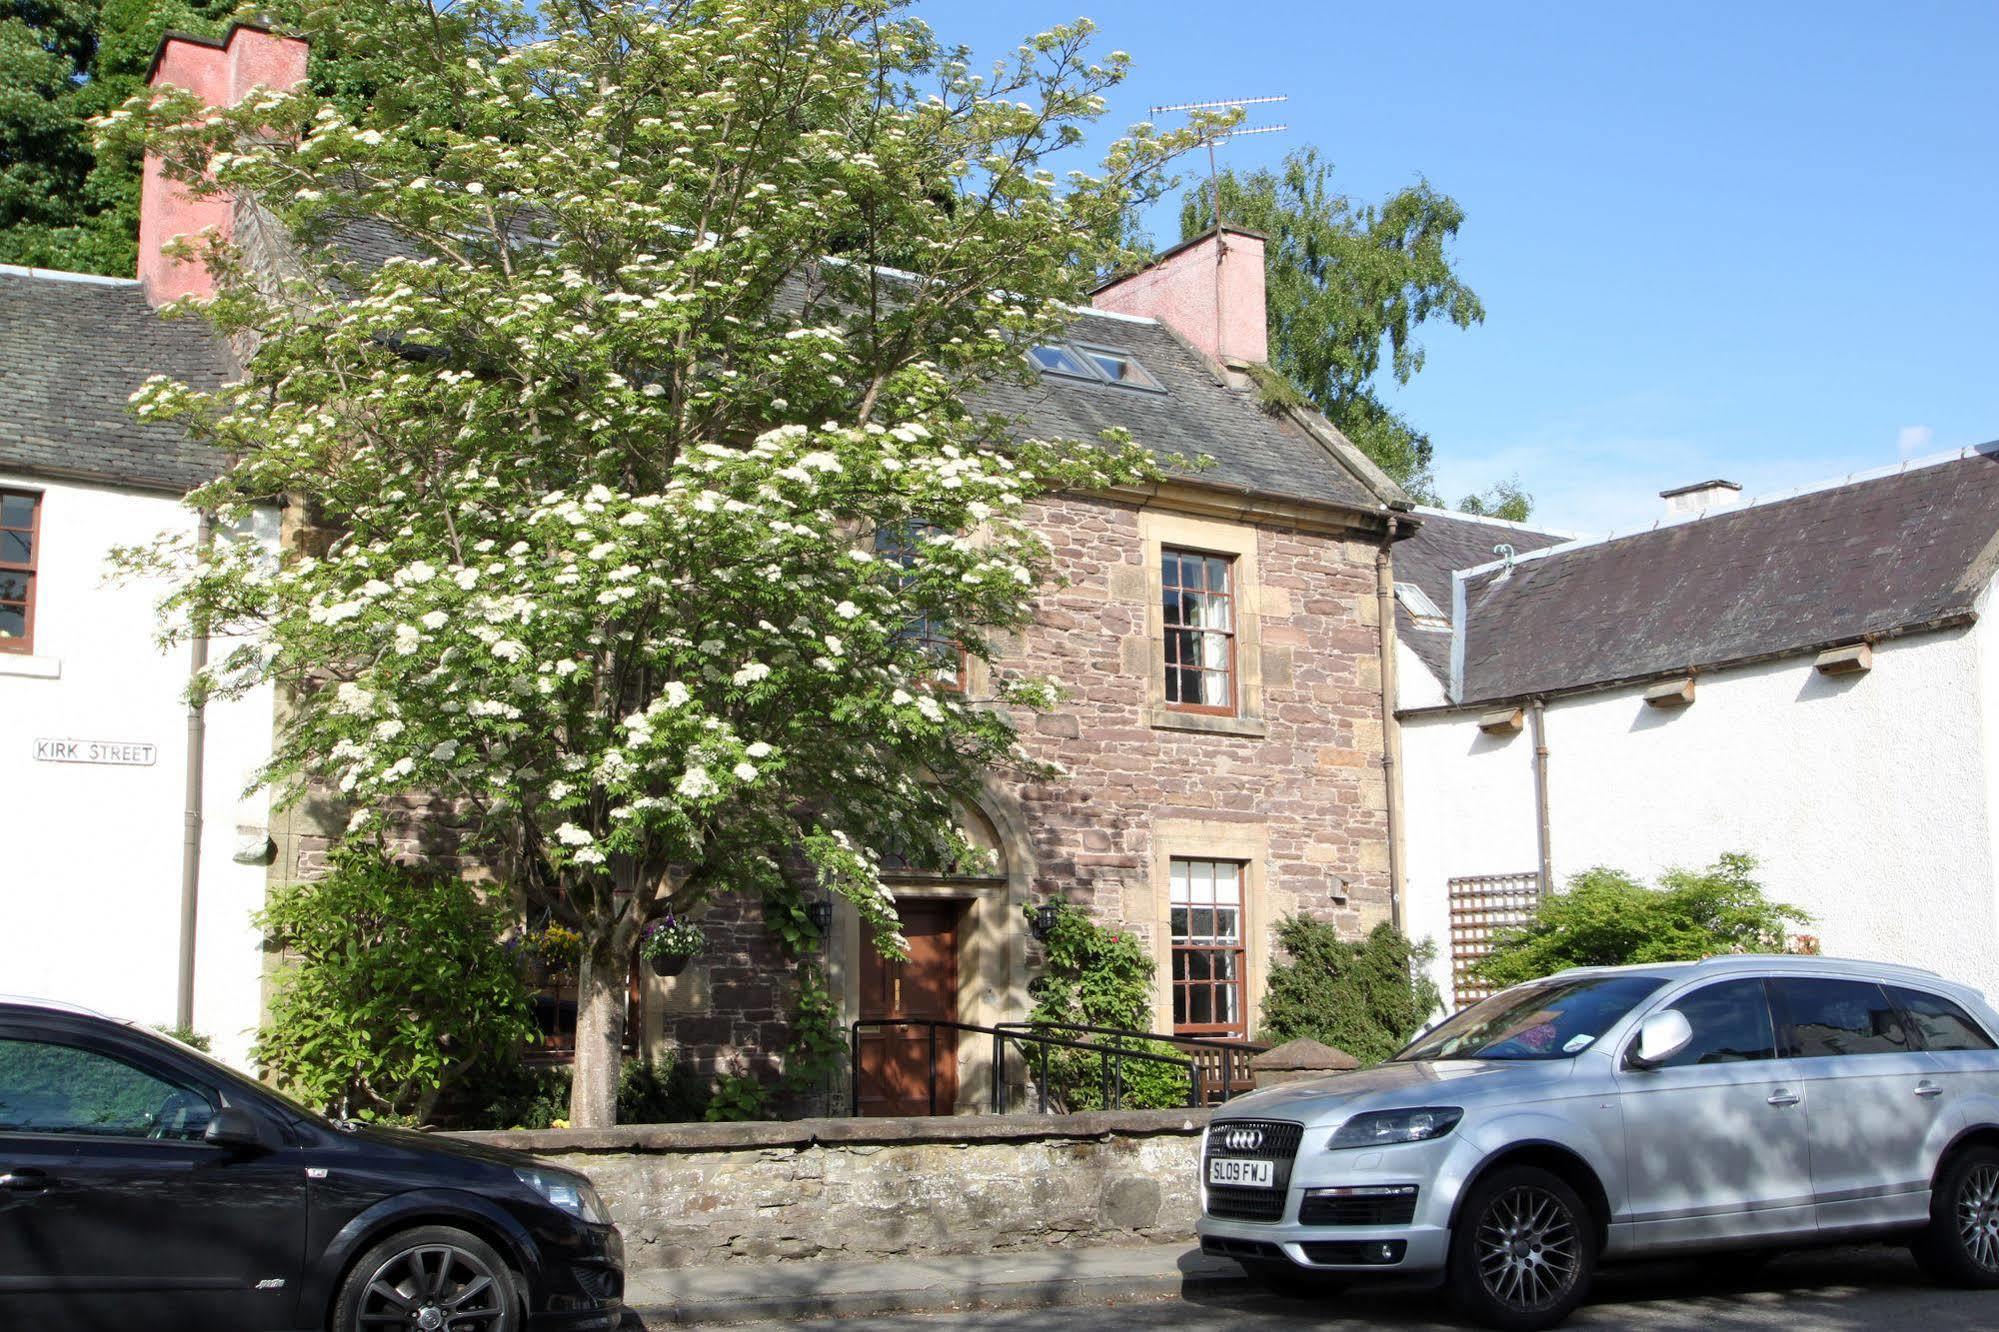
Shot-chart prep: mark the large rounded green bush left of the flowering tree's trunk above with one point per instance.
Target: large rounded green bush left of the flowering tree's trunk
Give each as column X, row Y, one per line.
column 395, row 989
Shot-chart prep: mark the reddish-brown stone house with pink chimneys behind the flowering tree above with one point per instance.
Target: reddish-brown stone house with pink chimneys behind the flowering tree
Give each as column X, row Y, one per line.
column 1224, row 743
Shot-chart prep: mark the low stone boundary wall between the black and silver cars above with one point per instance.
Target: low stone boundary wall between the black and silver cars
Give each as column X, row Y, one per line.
column 693, row 1195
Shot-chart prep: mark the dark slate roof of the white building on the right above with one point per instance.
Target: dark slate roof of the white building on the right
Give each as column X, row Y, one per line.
column 1878, row 555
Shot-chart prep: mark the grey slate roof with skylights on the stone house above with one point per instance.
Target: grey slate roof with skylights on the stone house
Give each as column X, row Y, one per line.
column 1194, row 417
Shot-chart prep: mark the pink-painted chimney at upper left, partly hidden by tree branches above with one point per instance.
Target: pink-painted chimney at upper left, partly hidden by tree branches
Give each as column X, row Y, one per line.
column 223, row 75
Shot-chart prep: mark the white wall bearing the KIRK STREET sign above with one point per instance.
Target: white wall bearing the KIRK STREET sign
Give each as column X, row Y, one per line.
column 91, row 855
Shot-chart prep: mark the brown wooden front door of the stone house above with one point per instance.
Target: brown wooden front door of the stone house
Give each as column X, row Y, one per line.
column 897, row 1061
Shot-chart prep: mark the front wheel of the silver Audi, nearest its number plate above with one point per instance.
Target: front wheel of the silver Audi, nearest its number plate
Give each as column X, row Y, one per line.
column 1522, row 1251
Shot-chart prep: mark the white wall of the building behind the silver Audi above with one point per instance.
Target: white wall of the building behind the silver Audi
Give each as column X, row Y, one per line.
column 1872, row 801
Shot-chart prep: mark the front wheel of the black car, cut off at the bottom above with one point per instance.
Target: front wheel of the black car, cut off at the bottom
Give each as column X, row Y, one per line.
column 431, row 1277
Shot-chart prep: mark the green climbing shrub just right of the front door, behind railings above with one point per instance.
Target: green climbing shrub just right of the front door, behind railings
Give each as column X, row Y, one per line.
column 1100, row 977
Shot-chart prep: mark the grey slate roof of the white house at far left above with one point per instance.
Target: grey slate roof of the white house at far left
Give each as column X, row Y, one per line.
column 71, row 355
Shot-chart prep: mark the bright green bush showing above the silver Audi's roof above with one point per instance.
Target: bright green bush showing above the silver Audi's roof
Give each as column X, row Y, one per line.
column 1610, row 919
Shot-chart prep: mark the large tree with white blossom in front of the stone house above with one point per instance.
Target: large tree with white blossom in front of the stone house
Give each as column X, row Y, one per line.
column 595, row 371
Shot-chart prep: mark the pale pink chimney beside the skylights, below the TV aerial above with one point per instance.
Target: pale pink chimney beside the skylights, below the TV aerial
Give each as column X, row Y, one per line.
column 1210, row 291
